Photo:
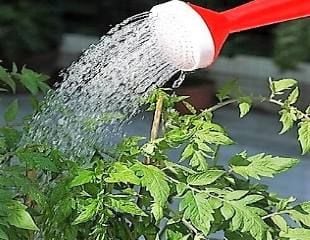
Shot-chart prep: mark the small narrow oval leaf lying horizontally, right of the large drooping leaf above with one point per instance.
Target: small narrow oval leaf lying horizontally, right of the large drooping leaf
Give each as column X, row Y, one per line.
column 205, row 178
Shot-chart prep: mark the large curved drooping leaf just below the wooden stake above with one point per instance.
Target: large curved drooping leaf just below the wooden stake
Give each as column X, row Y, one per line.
column 155, row 182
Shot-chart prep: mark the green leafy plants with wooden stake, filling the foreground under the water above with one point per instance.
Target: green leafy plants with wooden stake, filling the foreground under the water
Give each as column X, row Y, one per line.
column 136, row 190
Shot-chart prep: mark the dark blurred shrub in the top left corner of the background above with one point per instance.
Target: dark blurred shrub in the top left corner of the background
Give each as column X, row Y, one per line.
column 28, row 27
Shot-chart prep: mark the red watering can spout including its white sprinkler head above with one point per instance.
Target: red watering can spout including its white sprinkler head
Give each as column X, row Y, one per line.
column 191, row 37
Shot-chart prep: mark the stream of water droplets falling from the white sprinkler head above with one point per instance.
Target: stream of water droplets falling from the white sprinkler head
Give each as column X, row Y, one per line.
column 103, row 89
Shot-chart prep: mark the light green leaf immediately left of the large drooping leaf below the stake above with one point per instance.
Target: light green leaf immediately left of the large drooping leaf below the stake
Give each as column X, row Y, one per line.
column 122, row 174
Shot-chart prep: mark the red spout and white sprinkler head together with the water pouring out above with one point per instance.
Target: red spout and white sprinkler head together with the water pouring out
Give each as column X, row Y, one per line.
column 103, row 89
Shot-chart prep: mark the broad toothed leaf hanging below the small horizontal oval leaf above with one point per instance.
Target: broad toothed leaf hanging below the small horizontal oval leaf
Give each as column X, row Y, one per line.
column 198, row 211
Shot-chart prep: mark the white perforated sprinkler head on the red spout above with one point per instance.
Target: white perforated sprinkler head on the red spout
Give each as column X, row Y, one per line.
column 182, row 35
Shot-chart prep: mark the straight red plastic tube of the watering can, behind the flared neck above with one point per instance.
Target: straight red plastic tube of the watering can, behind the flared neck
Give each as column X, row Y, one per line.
column 259, row 13
